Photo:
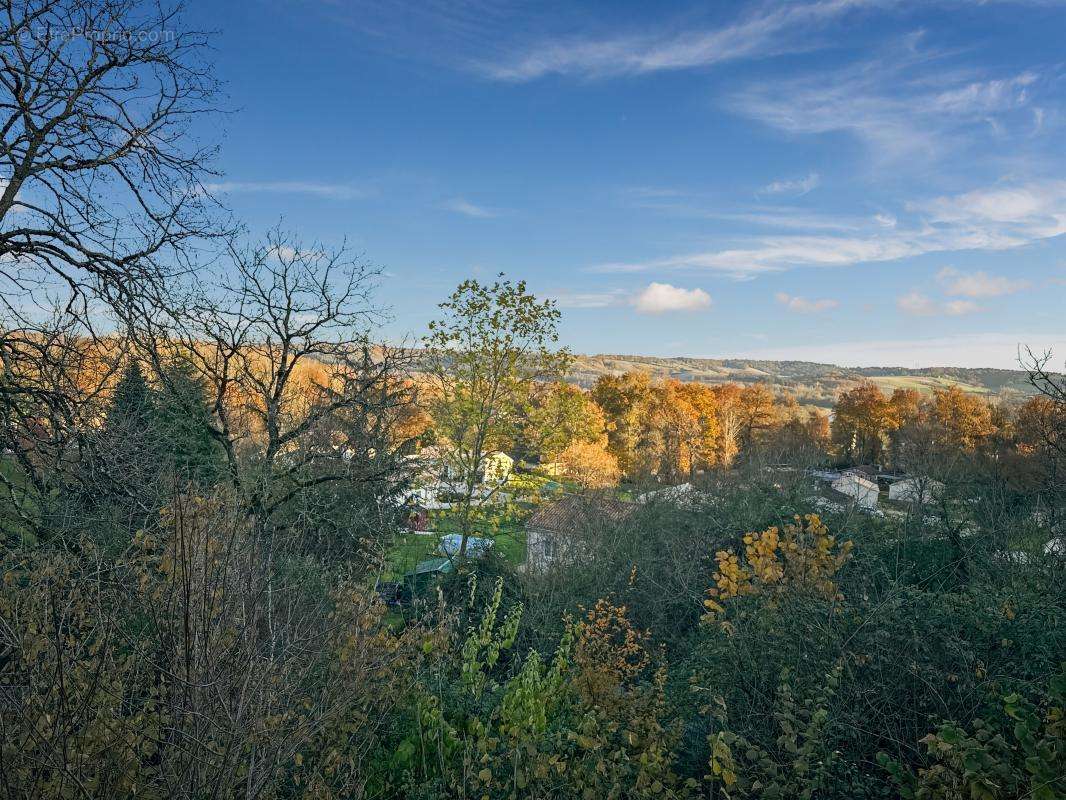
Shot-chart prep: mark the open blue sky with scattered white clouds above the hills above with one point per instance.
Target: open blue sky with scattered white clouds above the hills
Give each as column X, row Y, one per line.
column 857, row 182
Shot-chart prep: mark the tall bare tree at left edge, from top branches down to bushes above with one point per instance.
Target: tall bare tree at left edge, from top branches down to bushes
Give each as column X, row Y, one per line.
column 103, row 200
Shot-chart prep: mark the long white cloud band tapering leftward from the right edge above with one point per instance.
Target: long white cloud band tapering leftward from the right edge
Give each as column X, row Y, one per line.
column 968, row 222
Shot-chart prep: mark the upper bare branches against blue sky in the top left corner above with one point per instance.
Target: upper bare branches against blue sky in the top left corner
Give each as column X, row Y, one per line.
column 103, row 181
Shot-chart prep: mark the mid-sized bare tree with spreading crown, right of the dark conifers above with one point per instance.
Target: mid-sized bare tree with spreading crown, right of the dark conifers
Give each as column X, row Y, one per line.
column 301, row 396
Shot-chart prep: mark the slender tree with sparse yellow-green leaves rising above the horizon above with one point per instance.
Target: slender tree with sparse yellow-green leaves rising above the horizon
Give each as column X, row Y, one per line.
column 491, row 345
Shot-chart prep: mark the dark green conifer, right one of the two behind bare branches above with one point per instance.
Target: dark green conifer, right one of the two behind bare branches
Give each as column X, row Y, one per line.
column 185, row 421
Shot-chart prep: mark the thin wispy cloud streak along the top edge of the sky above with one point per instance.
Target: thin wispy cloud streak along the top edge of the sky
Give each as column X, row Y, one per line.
column 768, row 33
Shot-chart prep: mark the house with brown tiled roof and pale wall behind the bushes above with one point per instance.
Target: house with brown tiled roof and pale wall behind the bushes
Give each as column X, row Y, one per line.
column 558, row 531
